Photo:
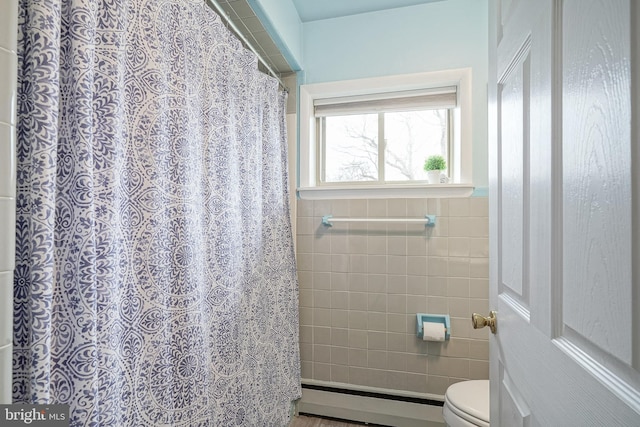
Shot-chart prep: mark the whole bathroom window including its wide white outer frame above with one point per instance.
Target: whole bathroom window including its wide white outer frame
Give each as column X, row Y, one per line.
column 370, row 138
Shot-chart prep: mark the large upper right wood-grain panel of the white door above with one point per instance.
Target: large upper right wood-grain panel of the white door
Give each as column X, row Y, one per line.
column 596, row 175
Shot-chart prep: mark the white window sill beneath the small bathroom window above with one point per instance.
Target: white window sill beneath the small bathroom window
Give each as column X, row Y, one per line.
column 426, row 191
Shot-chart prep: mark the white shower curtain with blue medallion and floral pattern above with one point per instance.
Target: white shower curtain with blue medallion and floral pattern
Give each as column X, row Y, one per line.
column 155, row 278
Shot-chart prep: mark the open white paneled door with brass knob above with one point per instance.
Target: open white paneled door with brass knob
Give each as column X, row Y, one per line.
column 564, row 156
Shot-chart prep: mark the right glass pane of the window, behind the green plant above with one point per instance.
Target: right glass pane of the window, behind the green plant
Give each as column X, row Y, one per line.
column 410, row 138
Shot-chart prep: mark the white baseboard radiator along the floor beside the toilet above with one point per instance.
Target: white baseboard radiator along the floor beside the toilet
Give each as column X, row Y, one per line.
column 370, row 405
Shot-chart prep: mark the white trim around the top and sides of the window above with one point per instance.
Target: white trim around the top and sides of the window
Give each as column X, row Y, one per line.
column 462, row 151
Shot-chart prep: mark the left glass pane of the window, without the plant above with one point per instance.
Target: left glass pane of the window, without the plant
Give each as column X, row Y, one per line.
column 351, row 148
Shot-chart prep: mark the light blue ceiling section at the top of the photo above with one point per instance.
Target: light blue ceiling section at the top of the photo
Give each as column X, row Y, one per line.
column 314, row 10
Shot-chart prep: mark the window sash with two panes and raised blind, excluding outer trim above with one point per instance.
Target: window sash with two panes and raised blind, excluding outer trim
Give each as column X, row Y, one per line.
column 384, row 137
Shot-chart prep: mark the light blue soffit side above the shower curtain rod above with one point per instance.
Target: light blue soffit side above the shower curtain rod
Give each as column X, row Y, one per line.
column 280, row 19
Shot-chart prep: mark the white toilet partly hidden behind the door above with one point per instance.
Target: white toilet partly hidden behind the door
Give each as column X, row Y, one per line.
column 466, row 404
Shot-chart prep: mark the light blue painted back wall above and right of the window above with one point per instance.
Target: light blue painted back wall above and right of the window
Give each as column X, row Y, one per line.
column 430, row 37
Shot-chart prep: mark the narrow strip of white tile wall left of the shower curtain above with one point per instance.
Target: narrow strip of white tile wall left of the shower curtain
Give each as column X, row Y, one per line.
column 8, row 90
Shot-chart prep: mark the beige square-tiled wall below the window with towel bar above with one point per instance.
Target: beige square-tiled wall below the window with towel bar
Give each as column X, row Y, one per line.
column 362, row 284
